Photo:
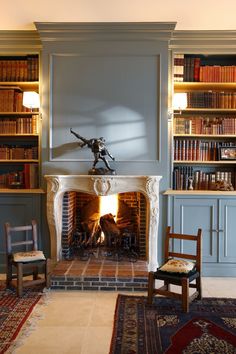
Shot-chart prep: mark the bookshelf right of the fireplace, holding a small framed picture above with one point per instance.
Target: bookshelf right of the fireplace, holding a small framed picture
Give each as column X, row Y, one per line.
column 204, row 133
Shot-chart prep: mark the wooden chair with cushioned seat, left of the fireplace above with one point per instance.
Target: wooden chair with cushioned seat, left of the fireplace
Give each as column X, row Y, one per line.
column 26, row 259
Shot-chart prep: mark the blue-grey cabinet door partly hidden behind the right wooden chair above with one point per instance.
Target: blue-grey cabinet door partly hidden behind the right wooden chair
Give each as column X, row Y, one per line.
column 191, row 214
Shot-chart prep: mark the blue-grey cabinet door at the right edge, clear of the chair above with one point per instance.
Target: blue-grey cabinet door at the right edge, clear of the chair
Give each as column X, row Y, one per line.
column 227, row 234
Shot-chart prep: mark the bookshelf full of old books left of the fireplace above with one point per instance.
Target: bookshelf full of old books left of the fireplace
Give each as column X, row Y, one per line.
column 19, row 126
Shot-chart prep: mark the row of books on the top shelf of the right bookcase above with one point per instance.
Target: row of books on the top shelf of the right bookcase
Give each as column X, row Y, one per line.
column 190, row 69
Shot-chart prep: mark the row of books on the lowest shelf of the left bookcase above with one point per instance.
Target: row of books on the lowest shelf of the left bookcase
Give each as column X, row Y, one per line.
column 26, row 178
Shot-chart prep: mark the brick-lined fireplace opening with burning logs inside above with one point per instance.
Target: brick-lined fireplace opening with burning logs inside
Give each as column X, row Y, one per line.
column 111, row 227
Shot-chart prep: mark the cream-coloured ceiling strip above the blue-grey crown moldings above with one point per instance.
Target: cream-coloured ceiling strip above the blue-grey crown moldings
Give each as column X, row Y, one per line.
column 189, row 14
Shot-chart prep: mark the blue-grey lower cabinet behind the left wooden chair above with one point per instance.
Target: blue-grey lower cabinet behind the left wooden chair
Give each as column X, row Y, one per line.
column 18, row 209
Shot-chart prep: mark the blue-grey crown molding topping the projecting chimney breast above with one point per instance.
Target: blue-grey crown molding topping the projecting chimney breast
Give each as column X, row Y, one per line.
column 77, row 31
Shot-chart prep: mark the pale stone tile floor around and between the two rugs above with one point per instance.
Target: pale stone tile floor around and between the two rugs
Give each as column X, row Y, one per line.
column 81, row 322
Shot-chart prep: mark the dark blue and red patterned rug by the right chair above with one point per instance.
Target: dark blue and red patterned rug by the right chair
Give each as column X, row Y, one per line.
column 209, row 327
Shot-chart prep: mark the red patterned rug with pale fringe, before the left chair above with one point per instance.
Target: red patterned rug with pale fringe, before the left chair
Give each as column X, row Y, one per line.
column 14, row 315
